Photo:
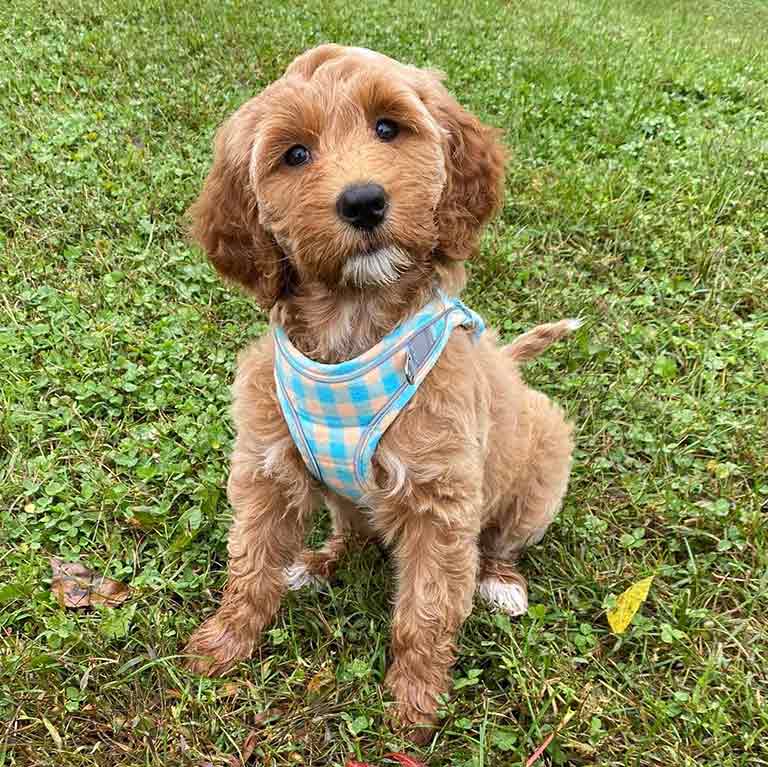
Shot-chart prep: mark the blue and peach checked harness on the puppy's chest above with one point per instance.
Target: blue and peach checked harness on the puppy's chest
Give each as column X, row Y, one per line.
column 338, row 413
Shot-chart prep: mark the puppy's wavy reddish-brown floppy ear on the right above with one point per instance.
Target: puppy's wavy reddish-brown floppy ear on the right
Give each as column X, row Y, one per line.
column 474, row 158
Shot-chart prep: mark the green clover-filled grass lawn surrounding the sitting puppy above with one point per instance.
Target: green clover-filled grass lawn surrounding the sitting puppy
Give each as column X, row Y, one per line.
column 637, row 198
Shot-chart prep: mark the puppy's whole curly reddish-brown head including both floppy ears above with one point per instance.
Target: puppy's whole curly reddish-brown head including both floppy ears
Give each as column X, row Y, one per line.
column 351, row 170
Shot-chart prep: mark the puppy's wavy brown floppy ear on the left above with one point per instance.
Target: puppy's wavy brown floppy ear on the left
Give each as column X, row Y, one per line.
column 225, row 219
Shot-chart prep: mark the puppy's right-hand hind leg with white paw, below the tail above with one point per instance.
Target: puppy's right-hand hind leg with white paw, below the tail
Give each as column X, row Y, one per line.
column 530, row 511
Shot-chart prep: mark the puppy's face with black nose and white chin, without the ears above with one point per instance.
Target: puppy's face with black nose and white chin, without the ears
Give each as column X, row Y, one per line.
column 347, row 168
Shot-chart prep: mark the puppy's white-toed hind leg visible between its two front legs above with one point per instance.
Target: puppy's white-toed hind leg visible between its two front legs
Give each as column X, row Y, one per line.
column 350, row 528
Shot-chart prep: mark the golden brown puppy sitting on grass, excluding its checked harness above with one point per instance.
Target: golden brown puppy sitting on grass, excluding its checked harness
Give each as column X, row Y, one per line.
column 475, row 468
